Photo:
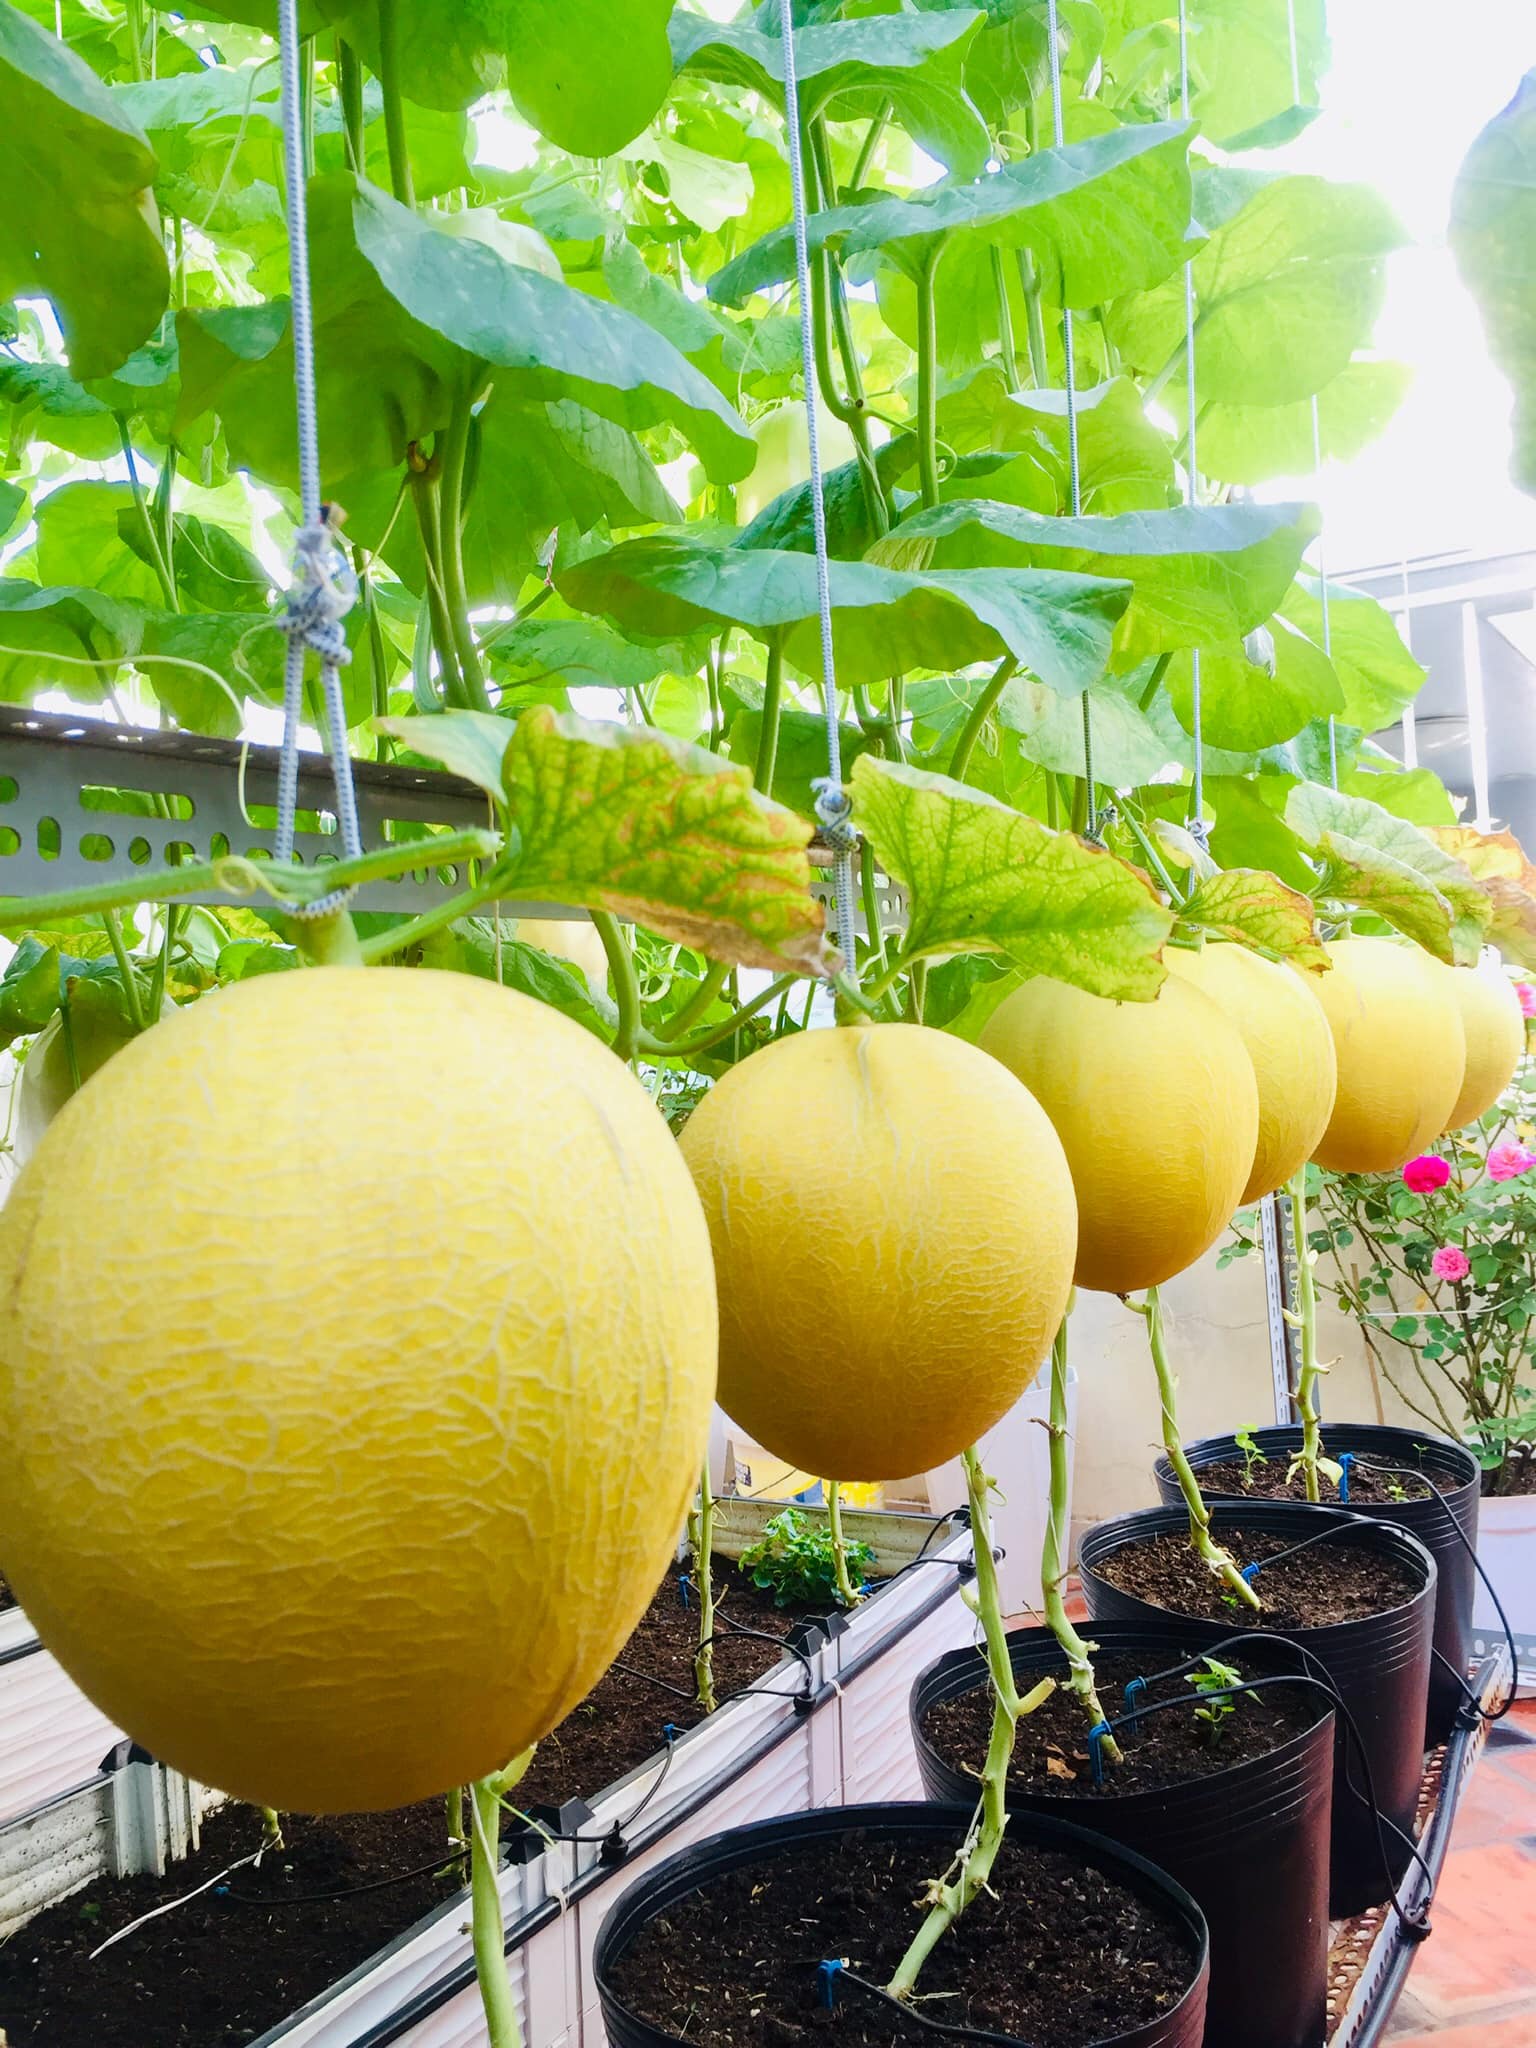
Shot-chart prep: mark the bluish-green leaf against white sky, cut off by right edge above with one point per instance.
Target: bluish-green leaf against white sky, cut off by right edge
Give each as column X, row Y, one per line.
column 1494, row 237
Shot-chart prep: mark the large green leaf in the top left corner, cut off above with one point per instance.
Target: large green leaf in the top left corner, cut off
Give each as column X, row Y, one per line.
column 79, row 220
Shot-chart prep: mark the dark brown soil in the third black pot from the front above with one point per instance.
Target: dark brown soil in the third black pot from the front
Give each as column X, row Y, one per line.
column 1332, row 1582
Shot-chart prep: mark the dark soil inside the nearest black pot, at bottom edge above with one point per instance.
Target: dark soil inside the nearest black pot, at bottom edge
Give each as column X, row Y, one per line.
column 1054, row 1955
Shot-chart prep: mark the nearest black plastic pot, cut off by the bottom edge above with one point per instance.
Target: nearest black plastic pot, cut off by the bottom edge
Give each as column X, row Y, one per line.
column 695, row 1869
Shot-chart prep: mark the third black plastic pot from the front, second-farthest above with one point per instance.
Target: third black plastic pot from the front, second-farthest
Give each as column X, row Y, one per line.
column 1379, row 1666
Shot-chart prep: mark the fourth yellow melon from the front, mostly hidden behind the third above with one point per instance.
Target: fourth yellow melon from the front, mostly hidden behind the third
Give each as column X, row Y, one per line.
column 1287, row 1037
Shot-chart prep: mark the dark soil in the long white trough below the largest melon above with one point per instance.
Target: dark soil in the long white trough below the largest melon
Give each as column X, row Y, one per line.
column 226, row 1967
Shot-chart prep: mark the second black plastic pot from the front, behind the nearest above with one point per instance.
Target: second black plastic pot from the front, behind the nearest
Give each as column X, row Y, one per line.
column 1250, row 1844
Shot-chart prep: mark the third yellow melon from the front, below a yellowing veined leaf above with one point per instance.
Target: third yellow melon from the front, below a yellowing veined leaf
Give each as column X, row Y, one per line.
column 1158, row 1111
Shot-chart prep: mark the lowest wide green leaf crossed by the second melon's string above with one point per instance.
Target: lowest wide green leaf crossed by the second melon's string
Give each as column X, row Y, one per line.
column 886, row 622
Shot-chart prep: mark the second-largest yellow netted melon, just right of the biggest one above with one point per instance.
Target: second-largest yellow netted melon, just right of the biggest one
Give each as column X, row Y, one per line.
column 894, row 1240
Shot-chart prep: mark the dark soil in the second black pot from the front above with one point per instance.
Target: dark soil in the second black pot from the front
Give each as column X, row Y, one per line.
column 1164, row 1750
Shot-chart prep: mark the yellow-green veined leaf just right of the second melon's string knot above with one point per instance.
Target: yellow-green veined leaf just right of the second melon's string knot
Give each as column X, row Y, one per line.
column 984, row 878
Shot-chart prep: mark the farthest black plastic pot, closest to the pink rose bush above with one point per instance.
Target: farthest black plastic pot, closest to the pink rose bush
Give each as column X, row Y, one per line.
column 1449, row 1467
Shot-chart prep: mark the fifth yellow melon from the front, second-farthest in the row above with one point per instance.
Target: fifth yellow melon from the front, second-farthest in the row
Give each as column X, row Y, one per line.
column 1402, row 1054
